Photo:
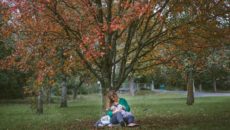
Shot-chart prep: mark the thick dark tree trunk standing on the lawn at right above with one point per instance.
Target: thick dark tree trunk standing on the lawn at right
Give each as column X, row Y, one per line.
column 190, row 91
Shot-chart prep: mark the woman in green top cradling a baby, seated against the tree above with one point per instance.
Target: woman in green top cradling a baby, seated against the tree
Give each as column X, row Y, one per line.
column 119, row 110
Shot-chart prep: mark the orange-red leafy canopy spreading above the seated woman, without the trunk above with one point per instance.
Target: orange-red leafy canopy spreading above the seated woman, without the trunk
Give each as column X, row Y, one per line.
column 56, row 36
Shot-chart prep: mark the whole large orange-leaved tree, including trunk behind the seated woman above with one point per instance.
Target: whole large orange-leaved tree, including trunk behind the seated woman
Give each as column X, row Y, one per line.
column 109, row 36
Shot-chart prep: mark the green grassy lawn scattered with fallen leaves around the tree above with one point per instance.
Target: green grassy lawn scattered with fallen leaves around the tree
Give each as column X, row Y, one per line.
column 152, row 111
